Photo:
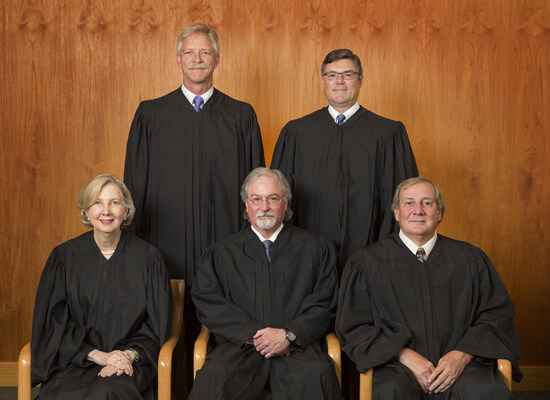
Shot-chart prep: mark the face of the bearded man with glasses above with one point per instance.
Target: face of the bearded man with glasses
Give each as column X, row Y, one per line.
column 266, row 204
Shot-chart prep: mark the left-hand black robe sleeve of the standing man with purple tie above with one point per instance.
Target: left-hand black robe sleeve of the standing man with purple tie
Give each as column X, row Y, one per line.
column 136, row 168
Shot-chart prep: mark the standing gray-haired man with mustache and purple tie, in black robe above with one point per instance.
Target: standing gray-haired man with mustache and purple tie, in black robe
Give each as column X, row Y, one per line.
column 187, row 154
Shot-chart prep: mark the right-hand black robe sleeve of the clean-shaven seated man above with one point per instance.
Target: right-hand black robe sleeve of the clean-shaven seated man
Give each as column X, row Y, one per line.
column 492, row 333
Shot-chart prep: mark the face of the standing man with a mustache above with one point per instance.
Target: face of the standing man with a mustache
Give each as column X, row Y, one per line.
column 197, row 60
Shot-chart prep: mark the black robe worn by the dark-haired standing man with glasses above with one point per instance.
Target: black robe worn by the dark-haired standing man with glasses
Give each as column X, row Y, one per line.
column 343, row 176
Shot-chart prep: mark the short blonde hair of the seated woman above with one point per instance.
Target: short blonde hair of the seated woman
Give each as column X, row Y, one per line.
column 89, row 194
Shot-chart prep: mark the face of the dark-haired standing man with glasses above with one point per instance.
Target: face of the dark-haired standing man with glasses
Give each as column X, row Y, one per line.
column 341, row 91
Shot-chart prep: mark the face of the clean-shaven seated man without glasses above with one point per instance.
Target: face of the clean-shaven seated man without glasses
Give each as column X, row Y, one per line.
column 418, row 215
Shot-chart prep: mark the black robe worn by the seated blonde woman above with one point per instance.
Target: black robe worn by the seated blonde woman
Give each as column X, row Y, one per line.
column 86, row 302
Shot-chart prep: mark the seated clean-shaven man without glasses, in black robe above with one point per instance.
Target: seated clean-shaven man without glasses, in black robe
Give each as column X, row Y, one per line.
column 428, row 313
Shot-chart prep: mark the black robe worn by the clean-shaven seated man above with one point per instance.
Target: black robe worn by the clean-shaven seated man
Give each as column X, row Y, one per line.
column 454, row 301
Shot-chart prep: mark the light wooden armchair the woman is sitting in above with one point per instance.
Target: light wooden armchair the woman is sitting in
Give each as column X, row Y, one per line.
column 24, row 390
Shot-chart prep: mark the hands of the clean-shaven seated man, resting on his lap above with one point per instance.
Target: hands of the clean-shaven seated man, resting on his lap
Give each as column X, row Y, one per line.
column 435, row 379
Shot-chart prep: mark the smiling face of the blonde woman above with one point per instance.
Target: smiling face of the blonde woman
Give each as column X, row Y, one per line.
column 108, row 212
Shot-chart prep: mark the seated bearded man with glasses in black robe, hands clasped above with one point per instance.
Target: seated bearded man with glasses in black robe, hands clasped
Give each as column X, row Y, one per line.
column 268, row 296
